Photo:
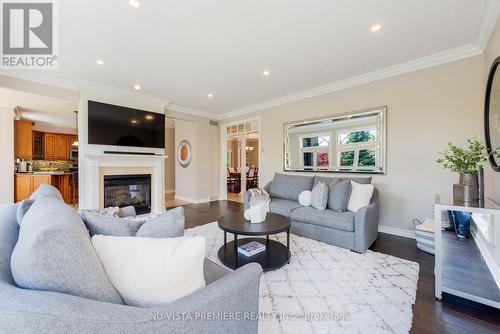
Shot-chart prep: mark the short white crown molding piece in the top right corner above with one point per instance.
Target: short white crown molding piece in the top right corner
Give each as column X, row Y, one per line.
column 486, row 23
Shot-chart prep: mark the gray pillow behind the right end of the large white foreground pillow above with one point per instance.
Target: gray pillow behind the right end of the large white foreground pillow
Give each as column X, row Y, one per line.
column 169, row 224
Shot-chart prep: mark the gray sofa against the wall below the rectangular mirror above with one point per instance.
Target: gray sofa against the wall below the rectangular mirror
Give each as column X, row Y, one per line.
column 354, row 231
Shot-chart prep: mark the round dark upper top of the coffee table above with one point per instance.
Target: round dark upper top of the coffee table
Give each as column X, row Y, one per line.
column 237, row 224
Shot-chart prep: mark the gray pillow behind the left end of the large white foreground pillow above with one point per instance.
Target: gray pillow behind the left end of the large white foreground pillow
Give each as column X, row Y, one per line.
column 107, row 225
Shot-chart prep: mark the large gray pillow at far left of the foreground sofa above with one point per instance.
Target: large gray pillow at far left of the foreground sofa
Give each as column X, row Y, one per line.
column 54, row 253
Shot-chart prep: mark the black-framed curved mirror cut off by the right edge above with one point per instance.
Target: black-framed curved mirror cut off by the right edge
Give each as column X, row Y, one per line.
column 492, row 113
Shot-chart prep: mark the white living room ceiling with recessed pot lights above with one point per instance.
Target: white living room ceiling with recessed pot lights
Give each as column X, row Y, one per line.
column 184, row 50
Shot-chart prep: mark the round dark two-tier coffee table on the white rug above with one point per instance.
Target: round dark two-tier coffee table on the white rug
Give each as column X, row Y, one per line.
column 276, row 254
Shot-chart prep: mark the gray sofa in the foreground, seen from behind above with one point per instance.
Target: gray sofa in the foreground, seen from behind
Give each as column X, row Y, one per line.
column 30, row 311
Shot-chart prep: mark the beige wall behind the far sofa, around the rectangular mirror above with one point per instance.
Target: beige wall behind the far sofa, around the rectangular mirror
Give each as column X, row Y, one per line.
column 426, row 110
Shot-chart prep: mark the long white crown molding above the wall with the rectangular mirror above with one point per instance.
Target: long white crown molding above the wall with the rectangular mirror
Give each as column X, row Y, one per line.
column 410, row 66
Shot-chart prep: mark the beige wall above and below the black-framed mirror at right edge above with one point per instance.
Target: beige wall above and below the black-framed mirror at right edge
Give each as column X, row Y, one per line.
column 492, row 179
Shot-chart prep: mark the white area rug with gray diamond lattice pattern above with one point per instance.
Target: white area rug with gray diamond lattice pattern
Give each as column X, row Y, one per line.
column 327, row 289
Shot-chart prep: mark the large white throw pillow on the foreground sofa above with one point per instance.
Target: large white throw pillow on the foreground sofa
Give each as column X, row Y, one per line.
column 150, row 272
